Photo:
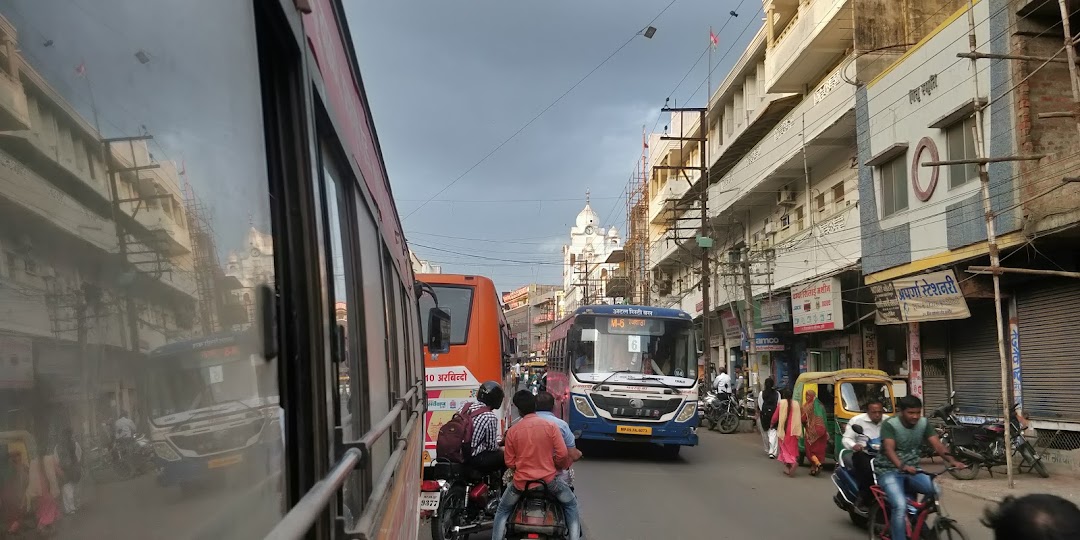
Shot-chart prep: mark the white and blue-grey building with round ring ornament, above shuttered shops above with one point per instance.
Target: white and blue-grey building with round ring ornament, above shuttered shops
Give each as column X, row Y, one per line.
column 924, row 227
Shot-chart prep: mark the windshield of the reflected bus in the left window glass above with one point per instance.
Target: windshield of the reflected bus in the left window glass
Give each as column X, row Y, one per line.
column 191, row 384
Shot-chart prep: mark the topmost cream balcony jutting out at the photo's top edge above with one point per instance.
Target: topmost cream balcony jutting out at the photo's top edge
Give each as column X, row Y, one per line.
column 819, row 35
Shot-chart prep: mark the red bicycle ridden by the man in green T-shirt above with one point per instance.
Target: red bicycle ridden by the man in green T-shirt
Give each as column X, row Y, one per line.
column 919, row 515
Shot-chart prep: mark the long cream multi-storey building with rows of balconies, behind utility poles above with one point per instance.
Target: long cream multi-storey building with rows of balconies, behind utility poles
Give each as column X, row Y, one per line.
column 784, row 187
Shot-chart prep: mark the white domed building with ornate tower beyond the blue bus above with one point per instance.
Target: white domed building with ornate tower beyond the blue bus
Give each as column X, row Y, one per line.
column 586, row 271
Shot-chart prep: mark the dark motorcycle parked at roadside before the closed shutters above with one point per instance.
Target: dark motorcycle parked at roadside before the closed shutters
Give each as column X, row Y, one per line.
column 984, row 445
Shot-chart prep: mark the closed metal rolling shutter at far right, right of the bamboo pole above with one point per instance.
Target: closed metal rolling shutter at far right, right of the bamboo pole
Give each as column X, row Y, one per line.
column 1050, row 360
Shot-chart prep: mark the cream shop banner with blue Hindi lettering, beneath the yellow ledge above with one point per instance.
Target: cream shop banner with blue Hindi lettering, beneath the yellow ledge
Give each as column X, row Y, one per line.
column 934, row 296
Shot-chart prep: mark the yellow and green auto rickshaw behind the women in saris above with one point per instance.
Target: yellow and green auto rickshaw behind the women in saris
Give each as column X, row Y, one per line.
column 844, row 395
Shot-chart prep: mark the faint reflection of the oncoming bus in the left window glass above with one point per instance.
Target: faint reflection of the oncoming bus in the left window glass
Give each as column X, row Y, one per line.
column 213, row 409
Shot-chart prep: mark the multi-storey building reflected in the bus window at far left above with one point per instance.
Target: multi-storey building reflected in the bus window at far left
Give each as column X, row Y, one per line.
column 96, row 254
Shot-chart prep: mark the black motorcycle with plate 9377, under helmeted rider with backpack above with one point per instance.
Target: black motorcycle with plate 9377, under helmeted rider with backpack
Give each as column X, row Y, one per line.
column 460, row 501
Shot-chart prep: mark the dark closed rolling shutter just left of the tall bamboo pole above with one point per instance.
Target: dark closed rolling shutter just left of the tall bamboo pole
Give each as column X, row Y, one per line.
column 977, row 369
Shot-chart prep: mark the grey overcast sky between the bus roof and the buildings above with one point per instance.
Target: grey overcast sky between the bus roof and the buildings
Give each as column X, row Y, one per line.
column 450, row 82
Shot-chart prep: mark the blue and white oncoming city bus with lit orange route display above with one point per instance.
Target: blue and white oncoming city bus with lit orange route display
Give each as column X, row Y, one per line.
column 627, row 374
